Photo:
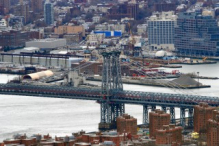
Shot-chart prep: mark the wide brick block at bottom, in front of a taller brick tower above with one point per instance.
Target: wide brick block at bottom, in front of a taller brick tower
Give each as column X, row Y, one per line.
column 169, row 134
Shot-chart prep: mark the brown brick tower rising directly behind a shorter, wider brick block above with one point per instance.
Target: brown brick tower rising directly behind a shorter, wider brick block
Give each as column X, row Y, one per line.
column 157, row 119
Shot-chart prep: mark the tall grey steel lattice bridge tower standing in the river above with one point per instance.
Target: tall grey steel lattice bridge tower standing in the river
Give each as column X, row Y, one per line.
column 111, row 80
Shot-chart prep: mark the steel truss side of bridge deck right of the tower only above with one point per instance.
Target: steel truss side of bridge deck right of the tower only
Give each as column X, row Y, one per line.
column 177, row 99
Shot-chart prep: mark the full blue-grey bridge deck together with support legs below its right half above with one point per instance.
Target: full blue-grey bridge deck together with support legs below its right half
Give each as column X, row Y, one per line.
column 147, row 99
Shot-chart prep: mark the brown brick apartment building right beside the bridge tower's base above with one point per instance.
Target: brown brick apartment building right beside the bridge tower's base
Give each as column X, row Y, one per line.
column 127, row 124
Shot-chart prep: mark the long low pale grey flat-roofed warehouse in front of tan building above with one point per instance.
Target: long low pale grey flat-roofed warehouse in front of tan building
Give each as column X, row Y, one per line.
column 49, row 43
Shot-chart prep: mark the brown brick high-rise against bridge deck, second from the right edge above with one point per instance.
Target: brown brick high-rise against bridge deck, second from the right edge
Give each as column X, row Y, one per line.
column 202, row 113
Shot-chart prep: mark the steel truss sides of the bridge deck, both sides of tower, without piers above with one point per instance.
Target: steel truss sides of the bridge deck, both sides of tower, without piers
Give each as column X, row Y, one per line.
column 123, row 96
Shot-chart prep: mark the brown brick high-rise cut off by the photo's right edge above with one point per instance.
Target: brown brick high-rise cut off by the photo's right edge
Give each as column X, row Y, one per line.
column 213, row 129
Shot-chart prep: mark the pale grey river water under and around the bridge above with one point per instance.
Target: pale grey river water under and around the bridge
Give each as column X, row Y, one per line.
column 33, row 115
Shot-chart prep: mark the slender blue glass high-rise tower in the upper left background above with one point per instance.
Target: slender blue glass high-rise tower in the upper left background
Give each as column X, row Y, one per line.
column 48, row 13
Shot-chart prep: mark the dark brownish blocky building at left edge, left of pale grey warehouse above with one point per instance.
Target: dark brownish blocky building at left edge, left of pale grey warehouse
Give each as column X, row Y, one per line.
column 13, row 39
